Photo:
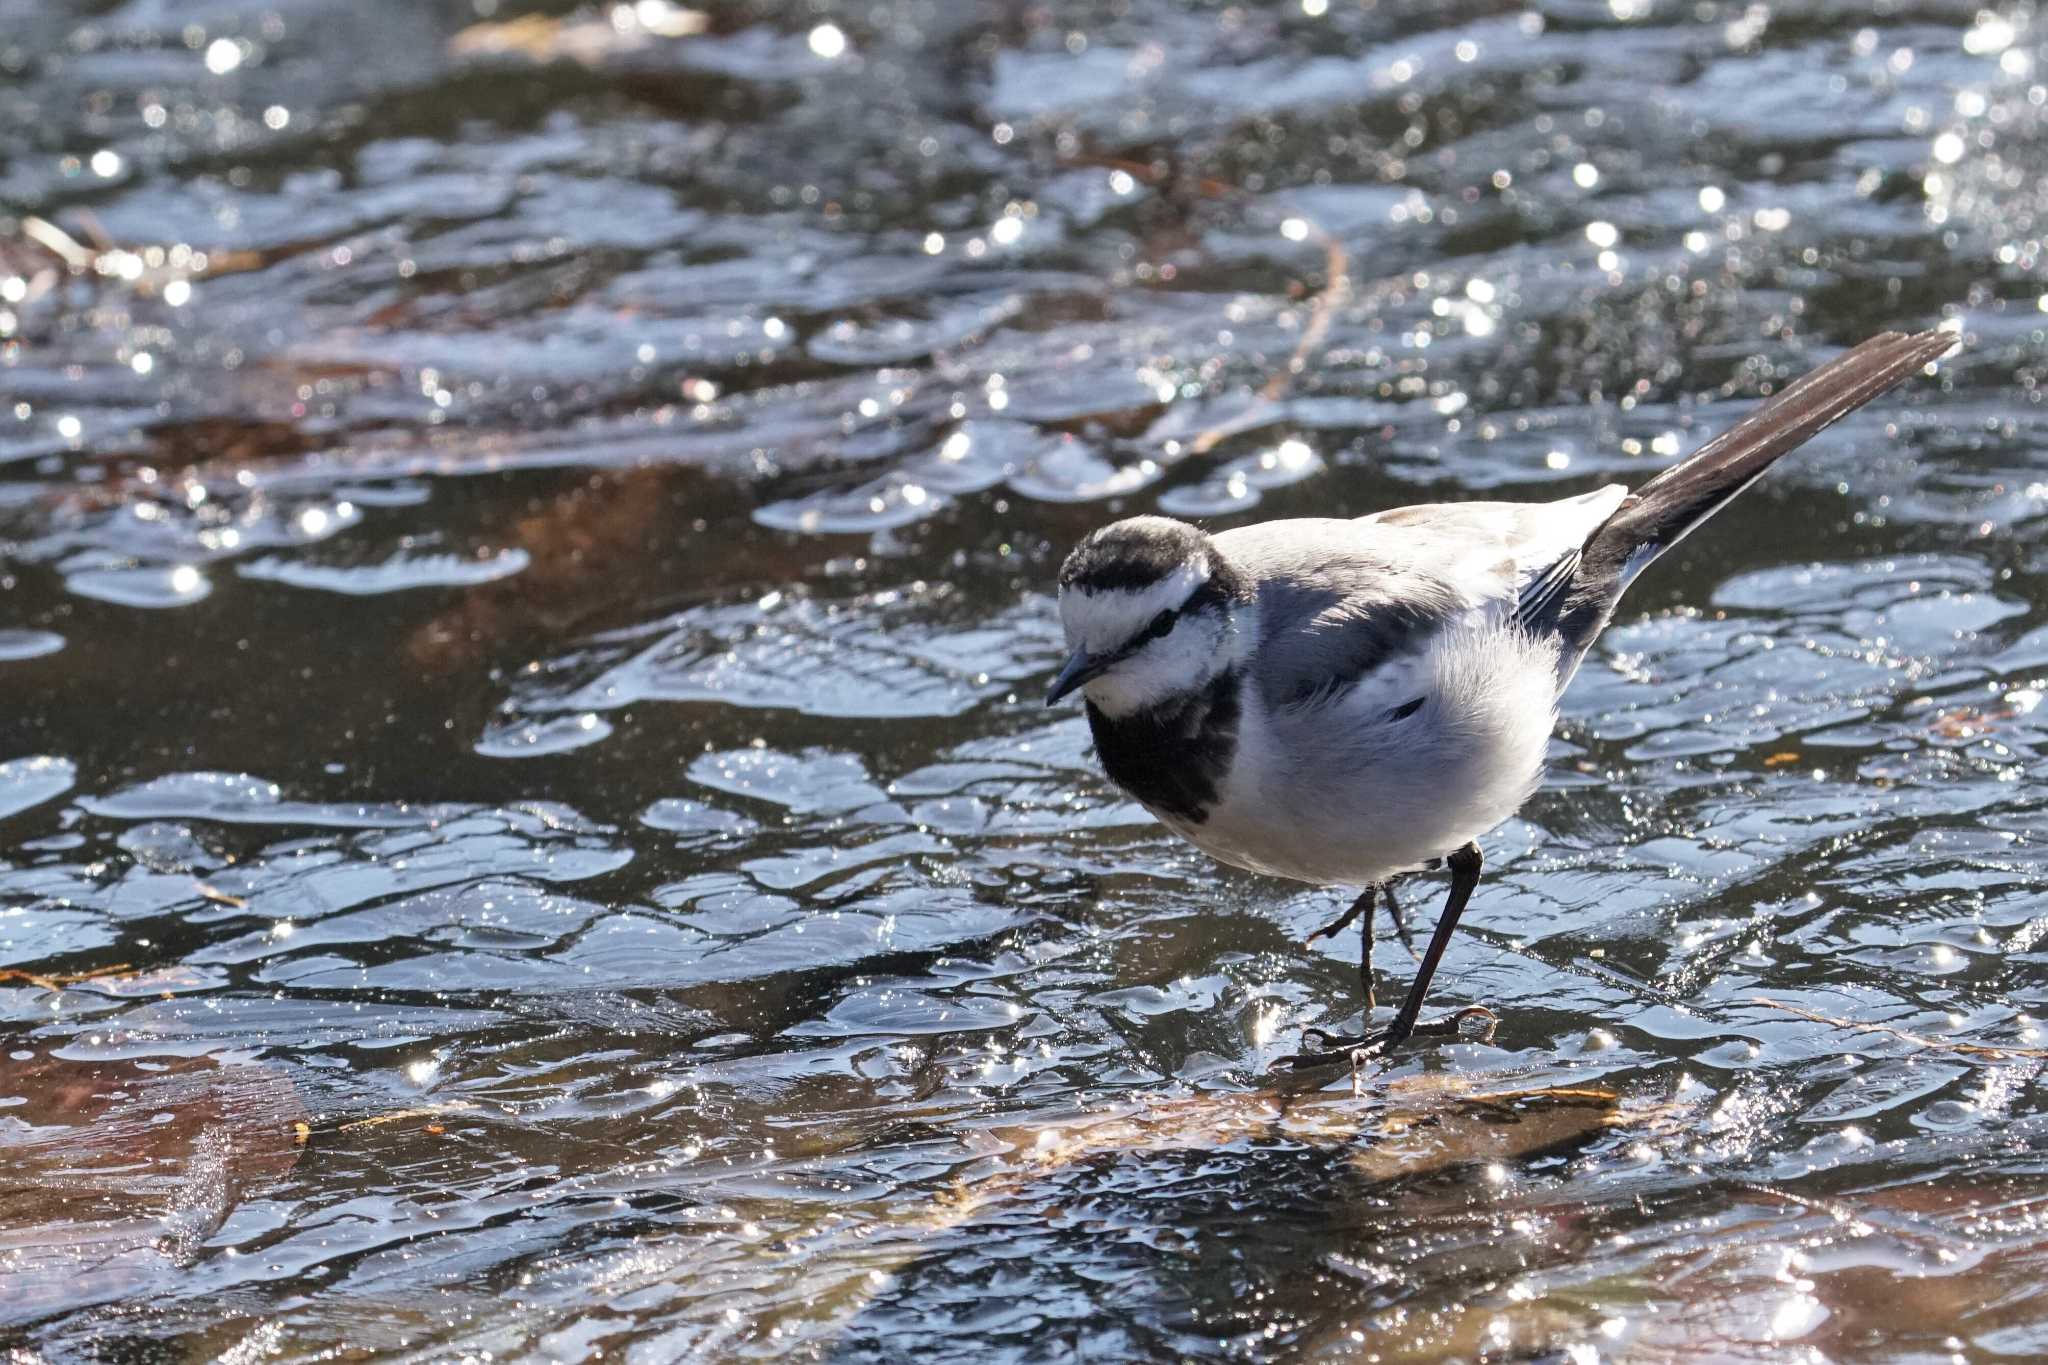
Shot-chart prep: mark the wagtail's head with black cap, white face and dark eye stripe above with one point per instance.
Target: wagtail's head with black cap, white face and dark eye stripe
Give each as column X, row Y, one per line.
column 1150, row 609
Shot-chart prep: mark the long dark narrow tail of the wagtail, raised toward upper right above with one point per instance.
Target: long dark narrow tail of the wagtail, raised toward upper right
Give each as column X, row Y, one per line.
column 1664, row 511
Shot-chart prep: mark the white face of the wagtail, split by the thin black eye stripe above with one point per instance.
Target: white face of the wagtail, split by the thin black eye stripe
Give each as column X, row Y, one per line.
column 1181, row 662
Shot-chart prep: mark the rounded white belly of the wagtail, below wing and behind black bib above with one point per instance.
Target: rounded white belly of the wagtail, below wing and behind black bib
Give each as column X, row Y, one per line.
column 1345, row 797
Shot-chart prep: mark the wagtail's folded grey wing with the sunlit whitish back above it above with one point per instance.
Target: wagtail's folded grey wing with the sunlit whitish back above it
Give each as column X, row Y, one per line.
column 1342, row 603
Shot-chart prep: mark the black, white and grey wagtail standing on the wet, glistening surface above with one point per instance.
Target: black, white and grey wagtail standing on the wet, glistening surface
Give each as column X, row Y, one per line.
column 1349, row 701
